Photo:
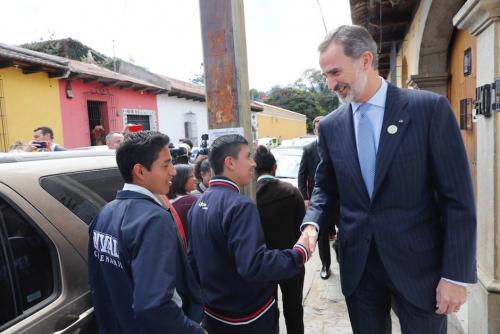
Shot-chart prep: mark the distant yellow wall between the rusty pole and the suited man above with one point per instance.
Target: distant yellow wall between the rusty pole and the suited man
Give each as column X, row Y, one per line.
column 272, row 126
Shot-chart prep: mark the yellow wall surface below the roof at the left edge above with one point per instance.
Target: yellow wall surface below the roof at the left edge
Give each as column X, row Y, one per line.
column 29, row 101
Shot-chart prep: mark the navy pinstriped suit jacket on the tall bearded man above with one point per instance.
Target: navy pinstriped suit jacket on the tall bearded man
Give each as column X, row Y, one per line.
column 421, row 216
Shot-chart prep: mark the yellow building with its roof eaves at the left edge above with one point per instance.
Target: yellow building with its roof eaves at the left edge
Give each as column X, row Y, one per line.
column 29, row 95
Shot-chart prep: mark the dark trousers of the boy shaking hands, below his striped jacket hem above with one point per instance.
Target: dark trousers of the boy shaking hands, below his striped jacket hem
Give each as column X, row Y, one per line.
column 268, row 323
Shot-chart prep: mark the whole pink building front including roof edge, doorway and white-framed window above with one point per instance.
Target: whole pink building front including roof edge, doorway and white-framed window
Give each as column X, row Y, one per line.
column 96, row 101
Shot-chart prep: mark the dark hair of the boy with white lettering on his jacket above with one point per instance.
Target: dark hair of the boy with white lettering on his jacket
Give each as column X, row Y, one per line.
column 140, row 147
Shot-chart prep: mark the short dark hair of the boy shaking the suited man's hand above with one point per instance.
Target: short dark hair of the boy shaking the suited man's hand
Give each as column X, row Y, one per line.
column 222, row 147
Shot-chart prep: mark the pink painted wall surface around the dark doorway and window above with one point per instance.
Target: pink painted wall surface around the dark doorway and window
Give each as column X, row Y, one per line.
column 74, row 111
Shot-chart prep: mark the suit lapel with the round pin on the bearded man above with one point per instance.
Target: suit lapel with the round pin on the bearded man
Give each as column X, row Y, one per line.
column 395, row 114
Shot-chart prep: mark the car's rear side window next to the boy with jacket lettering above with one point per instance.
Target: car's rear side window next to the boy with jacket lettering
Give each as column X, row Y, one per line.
column 84, row 193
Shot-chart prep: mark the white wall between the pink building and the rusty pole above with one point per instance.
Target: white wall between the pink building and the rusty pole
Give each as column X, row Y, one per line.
column 174, row 111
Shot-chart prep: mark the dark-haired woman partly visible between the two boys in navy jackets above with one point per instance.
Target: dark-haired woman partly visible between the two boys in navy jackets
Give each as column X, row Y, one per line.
column 179, row 195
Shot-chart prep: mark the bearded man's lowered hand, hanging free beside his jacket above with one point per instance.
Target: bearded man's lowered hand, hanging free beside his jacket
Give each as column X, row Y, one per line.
column 449, row 297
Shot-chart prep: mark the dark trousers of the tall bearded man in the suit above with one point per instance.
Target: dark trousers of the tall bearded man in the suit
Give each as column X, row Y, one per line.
column 370, row 305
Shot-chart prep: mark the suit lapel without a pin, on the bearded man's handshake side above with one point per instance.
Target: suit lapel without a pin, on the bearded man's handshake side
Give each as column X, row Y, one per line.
column 350, row 152
